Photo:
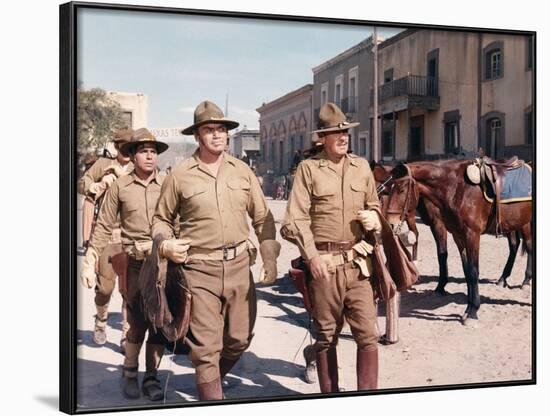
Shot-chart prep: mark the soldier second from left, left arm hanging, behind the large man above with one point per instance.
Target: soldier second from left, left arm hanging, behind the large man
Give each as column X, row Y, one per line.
column 133, row 199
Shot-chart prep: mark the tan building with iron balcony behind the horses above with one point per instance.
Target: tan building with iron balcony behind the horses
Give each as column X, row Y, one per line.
column 442, row 93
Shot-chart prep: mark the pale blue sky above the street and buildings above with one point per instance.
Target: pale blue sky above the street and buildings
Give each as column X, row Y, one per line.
column 179, row 60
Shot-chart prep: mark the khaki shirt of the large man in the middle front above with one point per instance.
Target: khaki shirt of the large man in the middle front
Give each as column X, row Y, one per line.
column 213, row 210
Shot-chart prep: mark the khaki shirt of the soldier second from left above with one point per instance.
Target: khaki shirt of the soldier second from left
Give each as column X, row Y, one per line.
column 135, row 200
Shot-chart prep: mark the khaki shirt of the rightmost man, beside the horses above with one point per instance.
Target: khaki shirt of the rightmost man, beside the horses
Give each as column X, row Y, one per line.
column 323, row 204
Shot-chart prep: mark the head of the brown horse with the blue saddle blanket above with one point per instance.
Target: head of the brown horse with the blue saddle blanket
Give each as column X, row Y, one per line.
column 403, row 195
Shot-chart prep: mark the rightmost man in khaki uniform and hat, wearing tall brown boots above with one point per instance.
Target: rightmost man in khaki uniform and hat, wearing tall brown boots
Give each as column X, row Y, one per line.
column 326, row 218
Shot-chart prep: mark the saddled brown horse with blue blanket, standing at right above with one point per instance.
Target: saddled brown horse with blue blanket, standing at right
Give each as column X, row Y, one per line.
column 464, row 212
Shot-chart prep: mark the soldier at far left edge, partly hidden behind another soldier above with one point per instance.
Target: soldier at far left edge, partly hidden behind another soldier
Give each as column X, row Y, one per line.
column 93, row 185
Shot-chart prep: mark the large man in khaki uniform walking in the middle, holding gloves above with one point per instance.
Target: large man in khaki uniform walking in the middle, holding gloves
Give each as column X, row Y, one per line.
column 214, row 194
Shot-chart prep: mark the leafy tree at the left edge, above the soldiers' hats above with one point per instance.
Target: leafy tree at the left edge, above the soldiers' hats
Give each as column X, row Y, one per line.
column 98, row 117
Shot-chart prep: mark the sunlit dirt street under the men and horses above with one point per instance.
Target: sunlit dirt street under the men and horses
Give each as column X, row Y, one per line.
column 434, row 349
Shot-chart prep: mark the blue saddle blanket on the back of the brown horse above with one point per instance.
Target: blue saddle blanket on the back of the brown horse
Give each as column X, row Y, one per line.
column 516, row 186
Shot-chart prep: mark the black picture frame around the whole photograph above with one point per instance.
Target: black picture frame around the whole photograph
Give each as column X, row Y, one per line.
column 68, row 176
